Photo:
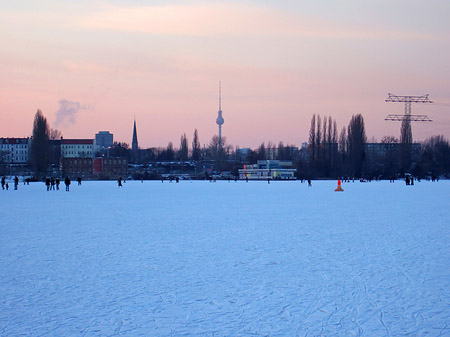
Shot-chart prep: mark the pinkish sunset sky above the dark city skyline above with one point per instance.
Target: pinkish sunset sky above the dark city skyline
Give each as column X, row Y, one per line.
column 95, row 65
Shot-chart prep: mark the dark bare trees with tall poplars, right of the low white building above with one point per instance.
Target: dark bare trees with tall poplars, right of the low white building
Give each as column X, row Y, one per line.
column 350, row 155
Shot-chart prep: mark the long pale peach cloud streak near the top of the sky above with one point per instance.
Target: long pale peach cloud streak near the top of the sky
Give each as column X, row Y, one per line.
column 232, row 20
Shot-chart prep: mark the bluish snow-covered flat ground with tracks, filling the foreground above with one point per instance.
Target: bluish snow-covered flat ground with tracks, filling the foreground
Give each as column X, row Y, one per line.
column 226, row 259
